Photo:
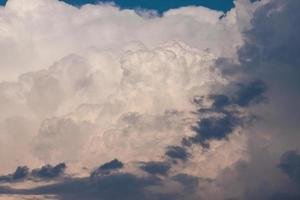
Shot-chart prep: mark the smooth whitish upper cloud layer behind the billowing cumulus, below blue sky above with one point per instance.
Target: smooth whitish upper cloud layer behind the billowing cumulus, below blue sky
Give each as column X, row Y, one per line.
column 33, row 40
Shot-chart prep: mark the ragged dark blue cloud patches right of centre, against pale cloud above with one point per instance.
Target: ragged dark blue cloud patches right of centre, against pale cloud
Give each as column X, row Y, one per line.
column 228, row 119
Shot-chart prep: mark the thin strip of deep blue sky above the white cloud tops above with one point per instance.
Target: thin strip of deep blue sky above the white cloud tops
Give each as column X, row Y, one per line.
column 159, row 5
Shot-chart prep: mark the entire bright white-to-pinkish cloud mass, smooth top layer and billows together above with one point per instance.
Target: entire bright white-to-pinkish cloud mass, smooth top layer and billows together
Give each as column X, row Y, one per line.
column 89, row 84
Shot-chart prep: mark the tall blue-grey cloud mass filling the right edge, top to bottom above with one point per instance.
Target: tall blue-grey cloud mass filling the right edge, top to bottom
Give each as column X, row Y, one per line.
column 270, row 61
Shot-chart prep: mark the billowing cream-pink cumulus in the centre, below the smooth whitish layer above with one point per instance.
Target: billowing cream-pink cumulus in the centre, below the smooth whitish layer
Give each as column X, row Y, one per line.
column 91, row 112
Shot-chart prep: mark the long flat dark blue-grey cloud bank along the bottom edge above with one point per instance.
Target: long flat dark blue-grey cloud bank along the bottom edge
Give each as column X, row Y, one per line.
column 105, row 185
